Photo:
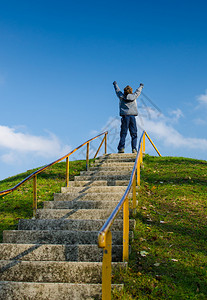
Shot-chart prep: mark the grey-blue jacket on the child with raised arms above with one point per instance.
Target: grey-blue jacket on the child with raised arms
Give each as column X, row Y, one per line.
column 128, row 104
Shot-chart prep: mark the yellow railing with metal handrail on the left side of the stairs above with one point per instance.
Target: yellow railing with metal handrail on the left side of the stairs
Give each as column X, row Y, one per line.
column 34, row 174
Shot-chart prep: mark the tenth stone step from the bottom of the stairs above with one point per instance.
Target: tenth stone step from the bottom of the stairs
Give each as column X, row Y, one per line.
column 99, row 183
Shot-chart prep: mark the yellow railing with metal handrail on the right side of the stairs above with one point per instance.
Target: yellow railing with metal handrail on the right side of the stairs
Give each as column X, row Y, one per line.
column 105, row 236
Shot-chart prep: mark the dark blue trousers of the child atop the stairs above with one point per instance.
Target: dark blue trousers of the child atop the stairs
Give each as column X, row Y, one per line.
column 128, row 122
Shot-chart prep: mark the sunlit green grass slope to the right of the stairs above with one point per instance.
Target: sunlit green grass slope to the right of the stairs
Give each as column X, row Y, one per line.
column 169, row 252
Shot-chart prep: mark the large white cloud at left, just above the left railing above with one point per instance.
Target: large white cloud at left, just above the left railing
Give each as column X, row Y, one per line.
column 15, row 144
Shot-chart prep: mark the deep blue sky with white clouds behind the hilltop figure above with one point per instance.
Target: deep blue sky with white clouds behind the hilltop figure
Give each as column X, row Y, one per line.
column 58, row 60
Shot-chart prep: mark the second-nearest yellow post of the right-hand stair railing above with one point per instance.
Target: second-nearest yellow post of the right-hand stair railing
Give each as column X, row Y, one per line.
column 126, row 230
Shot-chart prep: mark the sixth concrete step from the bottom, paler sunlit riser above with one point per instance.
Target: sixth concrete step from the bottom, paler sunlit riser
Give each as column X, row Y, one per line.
column 86, row 214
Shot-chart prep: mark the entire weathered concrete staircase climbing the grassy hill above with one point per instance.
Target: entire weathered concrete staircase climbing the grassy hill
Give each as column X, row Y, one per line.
column 55, row 255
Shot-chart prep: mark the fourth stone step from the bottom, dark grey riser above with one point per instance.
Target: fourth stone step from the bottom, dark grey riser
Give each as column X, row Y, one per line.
column 65, row 237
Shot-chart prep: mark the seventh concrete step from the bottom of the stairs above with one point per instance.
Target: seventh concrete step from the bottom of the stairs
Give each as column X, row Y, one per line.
column 74, row 204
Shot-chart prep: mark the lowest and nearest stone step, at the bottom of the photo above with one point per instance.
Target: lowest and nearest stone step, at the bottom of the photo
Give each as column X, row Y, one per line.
column 10, row 290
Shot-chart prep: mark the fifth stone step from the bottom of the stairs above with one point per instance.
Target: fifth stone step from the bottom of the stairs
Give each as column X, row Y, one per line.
column 84, row 225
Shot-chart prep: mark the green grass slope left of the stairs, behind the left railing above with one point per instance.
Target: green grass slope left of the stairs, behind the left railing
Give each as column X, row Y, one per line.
column 18, row 205
